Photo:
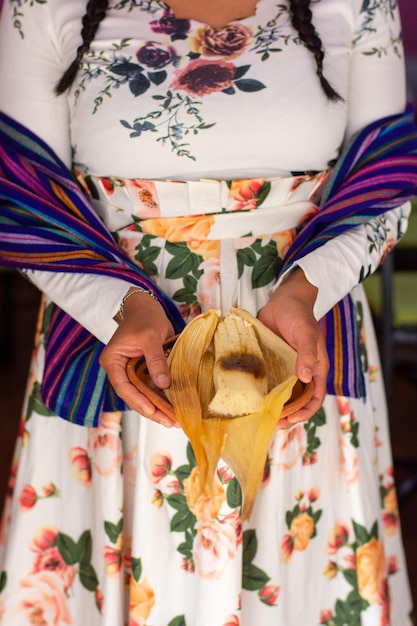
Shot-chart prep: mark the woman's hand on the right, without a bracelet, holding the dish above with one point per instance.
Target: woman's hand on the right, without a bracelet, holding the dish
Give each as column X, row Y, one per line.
column 289, row 314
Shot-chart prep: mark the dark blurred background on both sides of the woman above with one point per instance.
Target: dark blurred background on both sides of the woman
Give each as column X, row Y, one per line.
column 393, row 297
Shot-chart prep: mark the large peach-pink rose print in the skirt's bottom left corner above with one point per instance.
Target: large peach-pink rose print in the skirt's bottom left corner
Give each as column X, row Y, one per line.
column 39, row 599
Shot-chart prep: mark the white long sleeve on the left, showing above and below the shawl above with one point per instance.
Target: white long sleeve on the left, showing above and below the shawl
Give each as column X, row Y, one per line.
column 27, row 94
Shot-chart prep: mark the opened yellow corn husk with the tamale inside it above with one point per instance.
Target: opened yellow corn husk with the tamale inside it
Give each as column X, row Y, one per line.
column 229, row 383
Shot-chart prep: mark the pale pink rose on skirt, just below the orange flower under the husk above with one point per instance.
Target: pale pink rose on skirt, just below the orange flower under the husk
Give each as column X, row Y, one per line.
column 214, row 547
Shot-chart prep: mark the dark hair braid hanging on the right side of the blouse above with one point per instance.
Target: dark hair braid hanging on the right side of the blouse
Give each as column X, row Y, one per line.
column 301, row 18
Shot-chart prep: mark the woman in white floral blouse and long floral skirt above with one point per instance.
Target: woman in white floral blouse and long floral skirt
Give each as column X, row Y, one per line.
column 176, row 117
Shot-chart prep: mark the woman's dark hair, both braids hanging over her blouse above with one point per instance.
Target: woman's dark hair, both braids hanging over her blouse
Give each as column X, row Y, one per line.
column 301, row 18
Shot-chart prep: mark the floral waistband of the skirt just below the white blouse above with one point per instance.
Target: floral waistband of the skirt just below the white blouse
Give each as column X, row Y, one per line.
column 283, row 201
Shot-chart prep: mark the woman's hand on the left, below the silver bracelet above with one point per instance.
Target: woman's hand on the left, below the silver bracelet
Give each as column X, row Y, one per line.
column 142, row 332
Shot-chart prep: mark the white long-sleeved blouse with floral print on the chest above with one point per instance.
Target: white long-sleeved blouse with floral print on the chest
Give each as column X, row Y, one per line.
column 138, row 109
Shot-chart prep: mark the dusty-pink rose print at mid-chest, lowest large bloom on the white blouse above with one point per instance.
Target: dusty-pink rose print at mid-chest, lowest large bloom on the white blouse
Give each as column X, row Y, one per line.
column 201, row 78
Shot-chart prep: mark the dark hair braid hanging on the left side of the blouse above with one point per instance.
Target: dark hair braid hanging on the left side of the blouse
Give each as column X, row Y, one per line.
column 94, row 13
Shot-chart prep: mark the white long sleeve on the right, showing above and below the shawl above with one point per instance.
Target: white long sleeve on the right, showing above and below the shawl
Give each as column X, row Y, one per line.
column 376, row 90
